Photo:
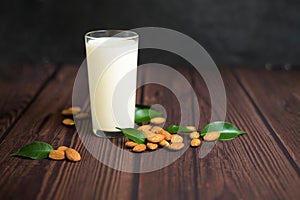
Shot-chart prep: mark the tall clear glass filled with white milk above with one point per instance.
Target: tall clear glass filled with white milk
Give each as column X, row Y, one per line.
column 112, row 69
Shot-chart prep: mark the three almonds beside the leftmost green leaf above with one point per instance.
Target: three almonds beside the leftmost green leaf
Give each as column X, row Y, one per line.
column 63, row 152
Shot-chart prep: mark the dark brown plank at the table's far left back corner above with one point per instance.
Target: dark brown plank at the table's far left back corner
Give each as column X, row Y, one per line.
column 19, row 84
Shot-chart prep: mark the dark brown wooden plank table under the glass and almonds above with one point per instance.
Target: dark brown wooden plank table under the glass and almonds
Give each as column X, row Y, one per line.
column 263, row 164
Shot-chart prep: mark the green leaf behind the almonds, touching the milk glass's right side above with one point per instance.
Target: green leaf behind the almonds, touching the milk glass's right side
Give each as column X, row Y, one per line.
column 145, row 114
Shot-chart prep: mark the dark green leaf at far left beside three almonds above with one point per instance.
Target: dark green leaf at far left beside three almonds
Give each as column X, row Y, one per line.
column 34, row 150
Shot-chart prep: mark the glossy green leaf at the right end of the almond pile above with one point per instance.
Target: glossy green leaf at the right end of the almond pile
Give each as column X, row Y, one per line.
column 227, row 131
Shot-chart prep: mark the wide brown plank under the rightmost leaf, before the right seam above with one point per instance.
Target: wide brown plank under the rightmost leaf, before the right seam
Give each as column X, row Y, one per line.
column 251, row 166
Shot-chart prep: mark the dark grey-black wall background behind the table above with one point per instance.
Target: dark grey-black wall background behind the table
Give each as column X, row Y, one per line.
column 234, row 32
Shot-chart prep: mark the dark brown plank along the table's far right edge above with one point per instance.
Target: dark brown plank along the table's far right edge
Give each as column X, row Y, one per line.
column 276, row 94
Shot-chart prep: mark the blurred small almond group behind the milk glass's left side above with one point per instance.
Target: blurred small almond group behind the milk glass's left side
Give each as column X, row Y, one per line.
column 73, row 112
